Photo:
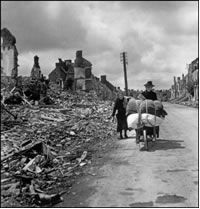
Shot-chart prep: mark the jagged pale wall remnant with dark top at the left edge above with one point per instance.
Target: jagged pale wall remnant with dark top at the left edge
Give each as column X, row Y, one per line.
column 9, row 54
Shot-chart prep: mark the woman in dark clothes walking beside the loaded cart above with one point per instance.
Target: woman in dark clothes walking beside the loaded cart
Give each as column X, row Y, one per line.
column 120, row 106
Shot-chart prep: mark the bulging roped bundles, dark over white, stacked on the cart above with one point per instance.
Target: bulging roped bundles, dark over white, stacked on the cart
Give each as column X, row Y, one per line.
column 149, row 113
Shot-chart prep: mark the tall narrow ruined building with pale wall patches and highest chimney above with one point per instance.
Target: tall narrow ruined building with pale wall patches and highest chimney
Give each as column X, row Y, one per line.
column 82, row 73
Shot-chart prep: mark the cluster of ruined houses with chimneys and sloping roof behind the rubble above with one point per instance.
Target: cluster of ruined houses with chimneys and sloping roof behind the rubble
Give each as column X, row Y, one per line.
column 78, row 76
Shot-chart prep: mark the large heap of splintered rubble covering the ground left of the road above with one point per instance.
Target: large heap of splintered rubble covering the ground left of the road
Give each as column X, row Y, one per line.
column 46, row 145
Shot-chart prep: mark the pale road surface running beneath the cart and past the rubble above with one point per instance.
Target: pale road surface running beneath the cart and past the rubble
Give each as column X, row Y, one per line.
column 166, row 176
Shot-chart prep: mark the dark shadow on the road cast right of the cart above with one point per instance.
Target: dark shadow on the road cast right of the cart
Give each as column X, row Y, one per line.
column 163, row 144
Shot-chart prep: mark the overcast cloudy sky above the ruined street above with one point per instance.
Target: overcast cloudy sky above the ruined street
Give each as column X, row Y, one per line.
column 159, row 37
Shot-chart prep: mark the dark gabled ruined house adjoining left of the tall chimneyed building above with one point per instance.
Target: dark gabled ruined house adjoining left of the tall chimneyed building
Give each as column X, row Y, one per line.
column 63, row 74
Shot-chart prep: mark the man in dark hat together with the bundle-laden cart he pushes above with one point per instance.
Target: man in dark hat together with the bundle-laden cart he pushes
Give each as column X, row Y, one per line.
column 145, row 116
